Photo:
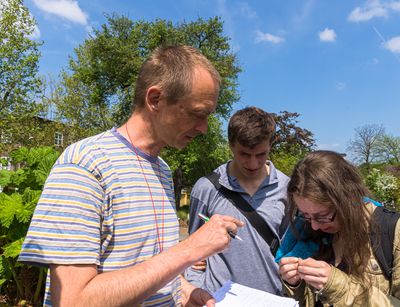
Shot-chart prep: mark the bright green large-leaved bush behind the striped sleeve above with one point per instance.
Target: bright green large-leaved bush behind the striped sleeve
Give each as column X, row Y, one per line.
column 21, row 190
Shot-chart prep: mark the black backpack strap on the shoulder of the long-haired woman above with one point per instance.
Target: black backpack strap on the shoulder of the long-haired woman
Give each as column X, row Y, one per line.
column 382, row 243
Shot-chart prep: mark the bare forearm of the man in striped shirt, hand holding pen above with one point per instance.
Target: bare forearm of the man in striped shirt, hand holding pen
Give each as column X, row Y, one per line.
column 80, row 285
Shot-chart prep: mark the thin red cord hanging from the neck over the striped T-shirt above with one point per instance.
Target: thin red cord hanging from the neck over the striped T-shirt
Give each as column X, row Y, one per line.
column 160, row 239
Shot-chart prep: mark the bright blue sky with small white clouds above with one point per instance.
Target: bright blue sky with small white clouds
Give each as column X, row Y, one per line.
column 337, row 63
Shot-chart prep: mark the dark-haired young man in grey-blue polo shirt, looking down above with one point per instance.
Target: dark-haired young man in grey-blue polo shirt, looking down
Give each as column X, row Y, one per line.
column 250, row 262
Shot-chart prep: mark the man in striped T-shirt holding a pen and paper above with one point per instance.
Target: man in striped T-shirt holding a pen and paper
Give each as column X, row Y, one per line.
column 105, row 224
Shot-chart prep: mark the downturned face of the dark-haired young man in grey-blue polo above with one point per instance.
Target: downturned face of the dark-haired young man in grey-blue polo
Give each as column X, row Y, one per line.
column 250, row 162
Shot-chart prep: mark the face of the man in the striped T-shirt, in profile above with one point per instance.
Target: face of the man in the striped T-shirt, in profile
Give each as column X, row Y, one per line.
column 181, row 122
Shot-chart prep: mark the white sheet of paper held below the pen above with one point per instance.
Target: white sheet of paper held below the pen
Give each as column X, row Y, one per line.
column 232, row 294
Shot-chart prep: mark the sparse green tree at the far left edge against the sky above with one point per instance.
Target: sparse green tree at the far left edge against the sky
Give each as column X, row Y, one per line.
column 20, row 85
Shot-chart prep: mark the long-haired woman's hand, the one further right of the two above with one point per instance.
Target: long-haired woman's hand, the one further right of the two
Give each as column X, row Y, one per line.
column 315, row 273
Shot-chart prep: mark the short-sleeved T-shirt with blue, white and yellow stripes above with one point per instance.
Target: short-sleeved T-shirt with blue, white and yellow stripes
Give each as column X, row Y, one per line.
column 96, row 209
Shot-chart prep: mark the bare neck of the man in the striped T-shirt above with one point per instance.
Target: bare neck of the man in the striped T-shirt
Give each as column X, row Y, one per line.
column 139, row 131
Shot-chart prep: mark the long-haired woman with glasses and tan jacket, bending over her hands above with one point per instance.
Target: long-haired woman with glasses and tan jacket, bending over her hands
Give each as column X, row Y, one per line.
column 334, row 223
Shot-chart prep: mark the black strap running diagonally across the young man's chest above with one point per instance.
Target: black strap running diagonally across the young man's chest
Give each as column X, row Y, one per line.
column 259, row 224
